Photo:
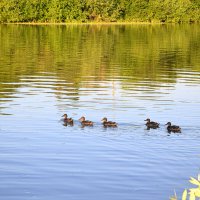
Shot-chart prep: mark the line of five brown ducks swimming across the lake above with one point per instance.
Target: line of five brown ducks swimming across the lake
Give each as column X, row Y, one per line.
column 150, row 124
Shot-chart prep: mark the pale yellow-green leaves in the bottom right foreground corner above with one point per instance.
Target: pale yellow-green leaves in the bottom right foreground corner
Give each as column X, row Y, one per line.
column 191, row 193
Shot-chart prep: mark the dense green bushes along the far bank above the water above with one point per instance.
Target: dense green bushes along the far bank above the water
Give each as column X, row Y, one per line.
column 84, row 11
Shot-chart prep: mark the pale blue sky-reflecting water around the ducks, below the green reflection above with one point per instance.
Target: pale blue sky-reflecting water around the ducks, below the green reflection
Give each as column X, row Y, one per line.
column 37, row 152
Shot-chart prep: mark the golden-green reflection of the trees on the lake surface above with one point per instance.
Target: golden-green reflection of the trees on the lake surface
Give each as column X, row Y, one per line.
column 76, row 54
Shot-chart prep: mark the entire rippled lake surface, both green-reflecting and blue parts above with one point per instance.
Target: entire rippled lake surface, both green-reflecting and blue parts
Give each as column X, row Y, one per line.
column 124, row 72
